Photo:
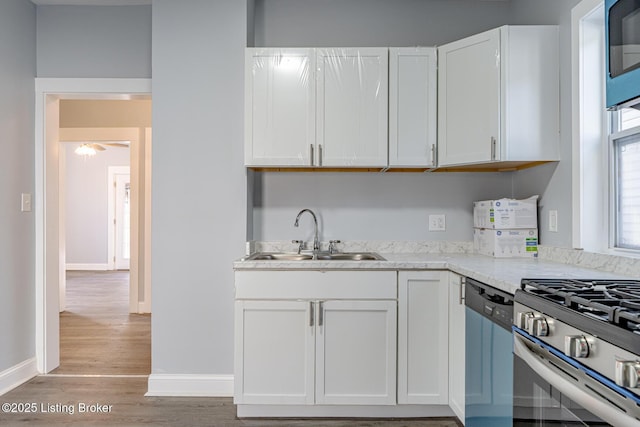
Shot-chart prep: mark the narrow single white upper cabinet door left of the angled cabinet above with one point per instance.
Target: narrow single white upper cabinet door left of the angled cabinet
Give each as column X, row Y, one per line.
column 412, row 107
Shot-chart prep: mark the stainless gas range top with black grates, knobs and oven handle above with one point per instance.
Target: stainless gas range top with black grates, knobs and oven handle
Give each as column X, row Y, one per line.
column 588, row 330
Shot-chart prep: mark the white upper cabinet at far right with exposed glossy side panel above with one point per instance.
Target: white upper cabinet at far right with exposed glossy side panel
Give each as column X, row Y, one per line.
column 498, row 97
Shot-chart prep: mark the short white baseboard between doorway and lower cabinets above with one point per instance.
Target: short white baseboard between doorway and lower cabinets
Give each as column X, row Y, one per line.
column 190, row 385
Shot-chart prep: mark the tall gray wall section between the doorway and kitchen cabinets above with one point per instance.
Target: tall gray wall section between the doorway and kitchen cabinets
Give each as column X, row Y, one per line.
column 199, row 184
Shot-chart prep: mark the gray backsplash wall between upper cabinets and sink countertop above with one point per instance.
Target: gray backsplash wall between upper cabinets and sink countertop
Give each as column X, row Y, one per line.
column 372, row 206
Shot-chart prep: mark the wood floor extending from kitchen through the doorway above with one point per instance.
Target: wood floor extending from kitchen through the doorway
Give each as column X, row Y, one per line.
column 102, row 378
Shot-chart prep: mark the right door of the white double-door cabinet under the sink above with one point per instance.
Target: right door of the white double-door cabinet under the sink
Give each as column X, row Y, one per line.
column 356, row 353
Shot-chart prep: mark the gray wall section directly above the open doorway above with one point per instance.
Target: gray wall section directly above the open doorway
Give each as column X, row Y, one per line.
column 89, row 41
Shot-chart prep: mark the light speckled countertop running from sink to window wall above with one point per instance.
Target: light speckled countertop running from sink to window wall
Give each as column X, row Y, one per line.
column 504, row 274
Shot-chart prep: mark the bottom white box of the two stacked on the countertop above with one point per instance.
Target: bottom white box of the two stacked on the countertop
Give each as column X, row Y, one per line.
column 522, row 243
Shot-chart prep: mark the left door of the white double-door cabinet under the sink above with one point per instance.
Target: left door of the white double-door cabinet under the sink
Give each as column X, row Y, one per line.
column 274, row 357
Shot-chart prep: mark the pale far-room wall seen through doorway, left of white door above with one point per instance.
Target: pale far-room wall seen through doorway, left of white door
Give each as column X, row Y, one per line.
column 87, row 203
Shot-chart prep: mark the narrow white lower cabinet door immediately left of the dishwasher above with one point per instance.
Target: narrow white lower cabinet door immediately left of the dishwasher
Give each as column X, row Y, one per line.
column 456, row 345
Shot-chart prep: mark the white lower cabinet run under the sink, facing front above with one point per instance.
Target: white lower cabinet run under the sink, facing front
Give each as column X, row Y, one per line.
column 346, row 343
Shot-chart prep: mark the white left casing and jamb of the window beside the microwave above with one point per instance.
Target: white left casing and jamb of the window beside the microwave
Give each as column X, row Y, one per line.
column 590, row 156
